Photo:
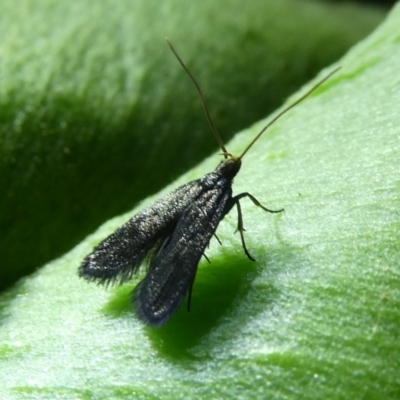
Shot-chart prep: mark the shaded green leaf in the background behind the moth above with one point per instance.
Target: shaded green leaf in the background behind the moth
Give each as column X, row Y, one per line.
column 96, row 113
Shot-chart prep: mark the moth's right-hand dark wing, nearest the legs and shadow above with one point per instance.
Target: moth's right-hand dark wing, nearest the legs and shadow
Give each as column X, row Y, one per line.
column 173, row 269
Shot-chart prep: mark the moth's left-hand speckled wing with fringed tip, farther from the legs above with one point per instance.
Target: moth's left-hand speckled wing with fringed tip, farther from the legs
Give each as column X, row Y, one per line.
column 120, row 255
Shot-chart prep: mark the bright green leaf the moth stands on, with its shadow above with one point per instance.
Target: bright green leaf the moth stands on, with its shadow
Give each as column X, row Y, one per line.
column 316, row 317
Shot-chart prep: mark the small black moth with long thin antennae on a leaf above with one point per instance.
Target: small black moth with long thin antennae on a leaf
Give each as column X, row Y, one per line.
column 174, row 232
